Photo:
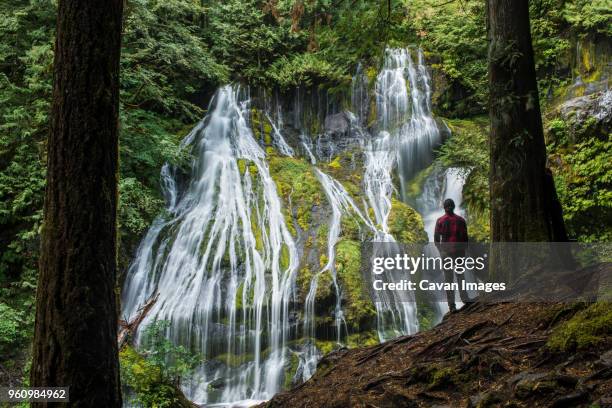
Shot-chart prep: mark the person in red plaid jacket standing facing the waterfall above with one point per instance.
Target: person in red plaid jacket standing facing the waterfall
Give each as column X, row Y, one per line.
column 451, row 237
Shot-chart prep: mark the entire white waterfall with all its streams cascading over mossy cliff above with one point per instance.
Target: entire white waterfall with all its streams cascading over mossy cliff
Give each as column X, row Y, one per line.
column 222, row 256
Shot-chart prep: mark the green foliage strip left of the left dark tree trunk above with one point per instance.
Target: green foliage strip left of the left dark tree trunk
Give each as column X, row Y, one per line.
column 25, row 90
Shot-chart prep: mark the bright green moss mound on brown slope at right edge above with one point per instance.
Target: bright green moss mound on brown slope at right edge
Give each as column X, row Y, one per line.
column 585, row 329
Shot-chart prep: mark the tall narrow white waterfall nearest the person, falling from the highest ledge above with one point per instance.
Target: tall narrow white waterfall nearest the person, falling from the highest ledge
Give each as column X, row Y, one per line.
column 407, row 135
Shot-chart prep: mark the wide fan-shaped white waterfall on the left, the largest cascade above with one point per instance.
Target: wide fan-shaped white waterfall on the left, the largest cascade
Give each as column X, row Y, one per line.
column 209, row 261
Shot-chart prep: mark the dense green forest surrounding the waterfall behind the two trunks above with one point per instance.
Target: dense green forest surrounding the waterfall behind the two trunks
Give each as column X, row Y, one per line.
column 176, row 52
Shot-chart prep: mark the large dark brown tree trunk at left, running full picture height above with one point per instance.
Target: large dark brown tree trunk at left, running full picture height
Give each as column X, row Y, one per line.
column 75, row 341
